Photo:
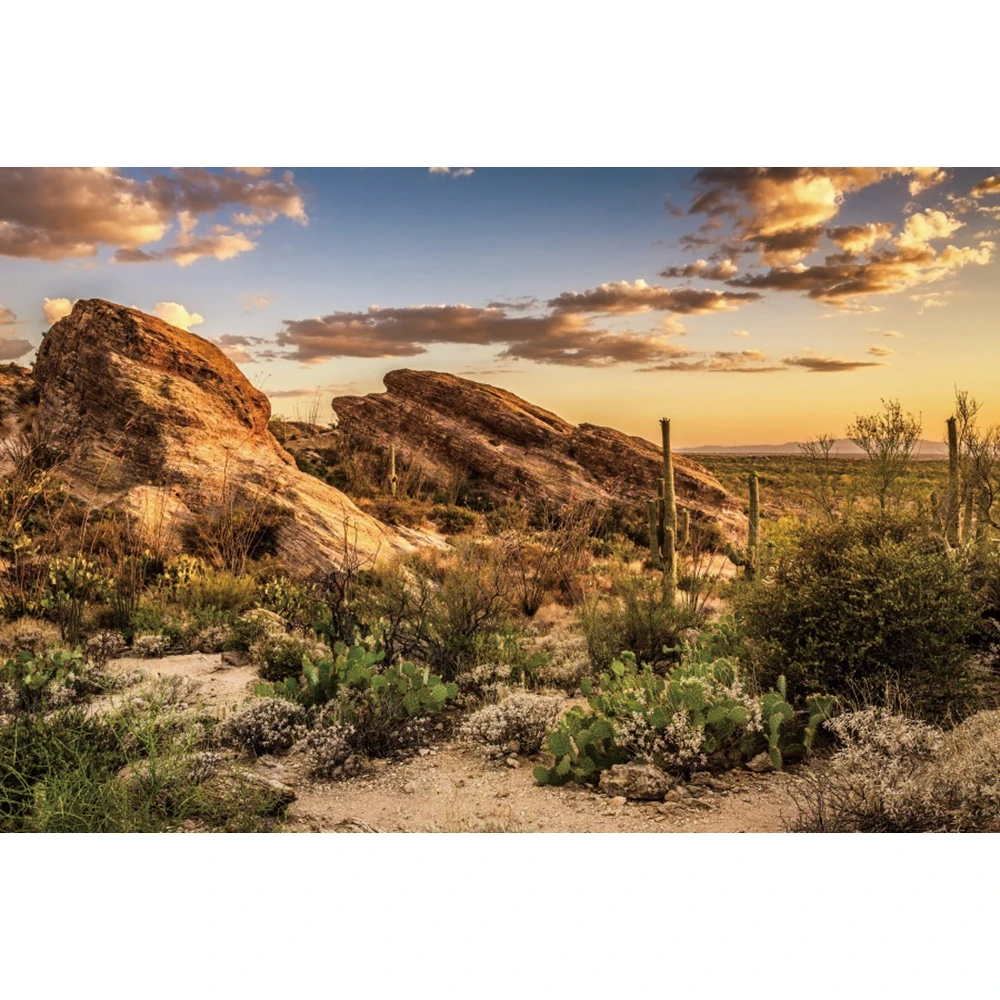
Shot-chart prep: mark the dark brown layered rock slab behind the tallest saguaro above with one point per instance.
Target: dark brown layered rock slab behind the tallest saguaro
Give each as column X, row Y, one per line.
column 513, row 448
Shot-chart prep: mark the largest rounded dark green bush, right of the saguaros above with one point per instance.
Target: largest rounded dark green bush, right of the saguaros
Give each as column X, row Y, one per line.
column 871, row 598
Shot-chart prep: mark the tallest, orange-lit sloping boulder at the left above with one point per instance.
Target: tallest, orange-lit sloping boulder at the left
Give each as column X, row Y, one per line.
column 162, row 422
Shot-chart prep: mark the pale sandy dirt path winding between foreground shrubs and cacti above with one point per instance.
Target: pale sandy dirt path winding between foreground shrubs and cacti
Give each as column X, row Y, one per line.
column 453, row 787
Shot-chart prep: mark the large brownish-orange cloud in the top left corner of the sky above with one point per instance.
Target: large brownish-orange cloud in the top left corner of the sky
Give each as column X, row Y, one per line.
column 54, row 213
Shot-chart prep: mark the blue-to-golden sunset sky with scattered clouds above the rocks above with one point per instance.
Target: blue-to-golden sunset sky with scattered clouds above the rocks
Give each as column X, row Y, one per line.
column 749, row 305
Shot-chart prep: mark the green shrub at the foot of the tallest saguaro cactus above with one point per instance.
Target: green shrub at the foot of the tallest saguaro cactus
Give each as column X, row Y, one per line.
column 636, row 617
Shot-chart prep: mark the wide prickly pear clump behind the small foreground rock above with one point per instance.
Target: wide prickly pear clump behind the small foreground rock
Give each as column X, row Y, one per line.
column 699, row 714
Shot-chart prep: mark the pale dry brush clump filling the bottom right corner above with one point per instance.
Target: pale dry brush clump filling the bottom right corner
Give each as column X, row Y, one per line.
column 895, row 774
